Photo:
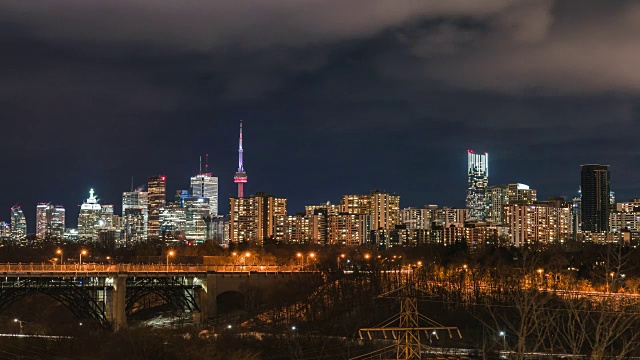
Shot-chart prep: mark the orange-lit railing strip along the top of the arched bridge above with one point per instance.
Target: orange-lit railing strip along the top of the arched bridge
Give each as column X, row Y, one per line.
column 132, row 268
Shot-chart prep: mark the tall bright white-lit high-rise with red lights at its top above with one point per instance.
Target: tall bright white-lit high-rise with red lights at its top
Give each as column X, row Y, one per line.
column 478, row 181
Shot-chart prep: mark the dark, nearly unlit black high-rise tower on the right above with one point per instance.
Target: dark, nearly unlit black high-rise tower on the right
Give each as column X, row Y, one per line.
column 595, row 202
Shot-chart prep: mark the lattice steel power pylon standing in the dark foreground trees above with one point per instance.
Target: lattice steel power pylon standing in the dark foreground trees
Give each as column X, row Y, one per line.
column 406, row 327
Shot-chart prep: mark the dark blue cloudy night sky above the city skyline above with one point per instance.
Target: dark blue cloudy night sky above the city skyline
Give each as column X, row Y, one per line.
column 337, row 96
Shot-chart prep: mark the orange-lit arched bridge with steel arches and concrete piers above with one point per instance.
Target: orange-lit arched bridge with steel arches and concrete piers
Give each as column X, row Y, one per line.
column 107, row 293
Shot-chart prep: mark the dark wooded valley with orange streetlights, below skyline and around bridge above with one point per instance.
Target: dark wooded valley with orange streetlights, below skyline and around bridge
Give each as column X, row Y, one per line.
column 575, row 301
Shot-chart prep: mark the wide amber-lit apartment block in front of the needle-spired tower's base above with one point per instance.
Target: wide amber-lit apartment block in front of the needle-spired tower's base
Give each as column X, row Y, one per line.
column 257, row 218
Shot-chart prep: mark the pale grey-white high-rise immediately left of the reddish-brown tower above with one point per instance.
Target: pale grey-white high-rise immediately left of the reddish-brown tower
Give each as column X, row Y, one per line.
column 135, row 216
